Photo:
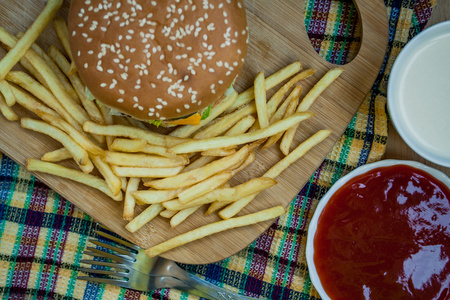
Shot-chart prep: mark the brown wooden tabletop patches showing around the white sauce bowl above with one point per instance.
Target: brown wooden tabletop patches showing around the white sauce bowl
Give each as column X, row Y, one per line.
column 396, row 147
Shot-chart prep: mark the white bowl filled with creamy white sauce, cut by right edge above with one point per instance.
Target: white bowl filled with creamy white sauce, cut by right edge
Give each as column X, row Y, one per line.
column 418, row 94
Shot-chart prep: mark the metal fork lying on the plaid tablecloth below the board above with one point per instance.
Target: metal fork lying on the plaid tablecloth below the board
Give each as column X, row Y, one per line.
column 126, row 265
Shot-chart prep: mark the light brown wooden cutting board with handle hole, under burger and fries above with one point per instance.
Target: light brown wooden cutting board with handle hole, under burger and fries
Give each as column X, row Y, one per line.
column 277, row 38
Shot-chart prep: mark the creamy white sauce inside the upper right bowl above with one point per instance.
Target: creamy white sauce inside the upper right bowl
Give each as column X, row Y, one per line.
column 424, row 95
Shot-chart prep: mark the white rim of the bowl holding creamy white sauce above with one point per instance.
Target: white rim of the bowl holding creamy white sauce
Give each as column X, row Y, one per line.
column 393, row 105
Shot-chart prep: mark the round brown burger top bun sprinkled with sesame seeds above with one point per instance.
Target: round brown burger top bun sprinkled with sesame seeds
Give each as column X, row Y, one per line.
column 161, row 59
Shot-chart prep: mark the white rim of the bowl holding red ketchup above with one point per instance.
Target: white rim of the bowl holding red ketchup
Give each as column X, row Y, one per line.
column 323, row 202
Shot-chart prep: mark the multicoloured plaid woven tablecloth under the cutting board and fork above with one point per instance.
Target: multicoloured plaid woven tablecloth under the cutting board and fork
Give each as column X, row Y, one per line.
column 42, row 235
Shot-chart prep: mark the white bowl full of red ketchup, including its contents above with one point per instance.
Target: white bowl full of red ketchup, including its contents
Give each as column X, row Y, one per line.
column 383, row 232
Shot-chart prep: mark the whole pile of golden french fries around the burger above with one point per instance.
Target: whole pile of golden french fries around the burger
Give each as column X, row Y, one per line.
column 171, row 175
